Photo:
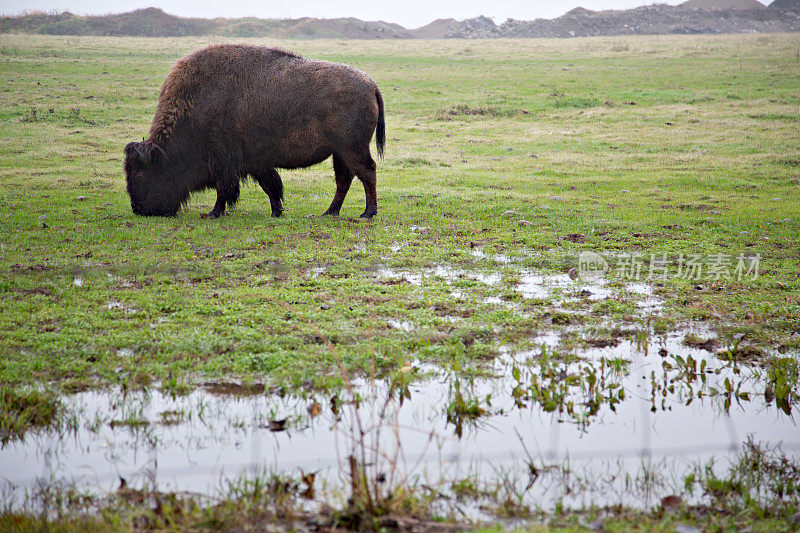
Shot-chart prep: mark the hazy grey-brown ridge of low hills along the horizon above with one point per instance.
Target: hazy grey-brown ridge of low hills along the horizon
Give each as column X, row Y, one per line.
column 656, row 19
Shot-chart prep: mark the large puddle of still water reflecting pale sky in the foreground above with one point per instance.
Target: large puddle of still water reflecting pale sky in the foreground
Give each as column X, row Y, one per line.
column 654, row 403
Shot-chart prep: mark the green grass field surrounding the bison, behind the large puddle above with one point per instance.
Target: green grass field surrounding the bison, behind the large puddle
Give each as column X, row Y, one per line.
column 652, row 145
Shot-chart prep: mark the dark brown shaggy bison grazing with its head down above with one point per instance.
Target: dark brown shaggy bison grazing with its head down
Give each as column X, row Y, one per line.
column 229, row 111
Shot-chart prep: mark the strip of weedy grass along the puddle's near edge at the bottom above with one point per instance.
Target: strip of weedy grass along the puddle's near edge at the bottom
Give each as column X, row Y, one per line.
column 759, row 489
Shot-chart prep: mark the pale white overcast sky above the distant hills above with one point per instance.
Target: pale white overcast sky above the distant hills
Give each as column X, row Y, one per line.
column 409, row 13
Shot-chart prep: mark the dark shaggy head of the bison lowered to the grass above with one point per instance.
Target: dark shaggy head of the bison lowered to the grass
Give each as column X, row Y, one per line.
column 152, row 191
